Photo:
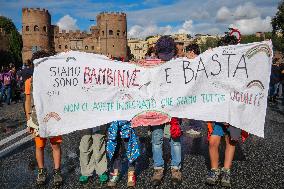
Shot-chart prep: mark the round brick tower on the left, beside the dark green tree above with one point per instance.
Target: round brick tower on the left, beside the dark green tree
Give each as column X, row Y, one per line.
column 36, row 31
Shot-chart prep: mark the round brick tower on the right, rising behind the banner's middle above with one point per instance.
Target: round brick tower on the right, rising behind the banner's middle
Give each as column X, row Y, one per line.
column 113, row 34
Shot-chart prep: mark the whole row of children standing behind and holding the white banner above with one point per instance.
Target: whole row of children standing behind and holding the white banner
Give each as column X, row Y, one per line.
column 108, row 141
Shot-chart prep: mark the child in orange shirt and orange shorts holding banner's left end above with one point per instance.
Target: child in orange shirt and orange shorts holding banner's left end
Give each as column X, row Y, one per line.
column 40, row 142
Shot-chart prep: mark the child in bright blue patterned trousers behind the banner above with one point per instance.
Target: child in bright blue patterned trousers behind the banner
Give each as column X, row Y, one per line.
column 119, row 133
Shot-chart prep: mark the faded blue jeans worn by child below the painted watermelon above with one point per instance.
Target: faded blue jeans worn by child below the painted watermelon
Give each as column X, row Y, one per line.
column 157, row 148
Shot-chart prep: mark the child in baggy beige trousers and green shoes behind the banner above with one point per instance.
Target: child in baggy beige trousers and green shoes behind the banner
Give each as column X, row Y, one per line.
column 93, row 154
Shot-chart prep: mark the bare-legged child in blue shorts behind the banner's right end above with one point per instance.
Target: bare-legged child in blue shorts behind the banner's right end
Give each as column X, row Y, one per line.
column 231, row 134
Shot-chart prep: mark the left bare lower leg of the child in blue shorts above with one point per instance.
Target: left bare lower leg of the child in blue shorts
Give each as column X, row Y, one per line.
column 214, row 143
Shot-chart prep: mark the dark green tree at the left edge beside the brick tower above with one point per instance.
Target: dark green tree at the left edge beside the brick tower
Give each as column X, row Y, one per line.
column 15, row 41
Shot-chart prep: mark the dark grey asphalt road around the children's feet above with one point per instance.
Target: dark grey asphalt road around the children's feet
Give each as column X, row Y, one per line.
column 258, row 163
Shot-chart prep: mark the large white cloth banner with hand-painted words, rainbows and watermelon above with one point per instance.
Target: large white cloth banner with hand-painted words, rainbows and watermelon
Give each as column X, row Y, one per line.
column 77, row 90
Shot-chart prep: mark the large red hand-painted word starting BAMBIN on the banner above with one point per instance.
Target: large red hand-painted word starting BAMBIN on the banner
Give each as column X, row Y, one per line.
column 108, row 76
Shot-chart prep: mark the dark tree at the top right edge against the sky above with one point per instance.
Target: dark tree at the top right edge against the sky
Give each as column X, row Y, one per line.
column 278, row 28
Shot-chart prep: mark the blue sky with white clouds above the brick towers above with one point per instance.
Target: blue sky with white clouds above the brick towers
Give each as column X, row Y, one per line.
column 151, row 17
